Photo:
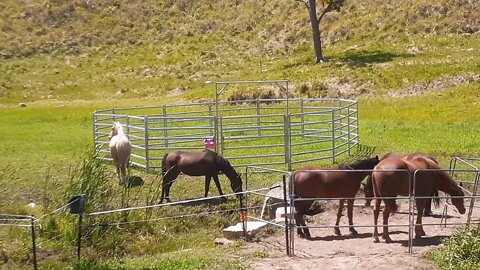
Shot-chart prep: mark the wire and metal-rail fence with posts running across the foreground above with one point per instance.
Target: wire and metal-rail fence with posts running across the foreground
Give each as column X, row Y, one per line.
column 284, row 197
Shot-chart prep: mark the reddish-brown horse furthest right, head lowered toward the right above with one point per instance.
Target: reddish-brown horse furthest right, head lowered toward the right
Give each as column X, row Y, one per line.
column 394, row 183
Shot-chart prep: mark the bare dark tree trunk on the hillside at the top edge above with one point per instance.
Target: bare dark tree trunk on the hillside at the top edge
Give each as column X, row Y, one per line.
column 327, row 6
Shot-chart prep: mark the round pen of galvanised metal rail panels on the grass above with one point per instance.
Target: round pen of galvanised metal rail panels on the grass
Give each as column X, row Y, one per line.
column 278, row 132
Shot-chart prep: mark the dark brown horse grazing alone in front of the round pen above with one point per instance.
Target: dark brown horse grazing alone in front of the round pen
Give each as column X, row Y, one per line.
column 206, row 163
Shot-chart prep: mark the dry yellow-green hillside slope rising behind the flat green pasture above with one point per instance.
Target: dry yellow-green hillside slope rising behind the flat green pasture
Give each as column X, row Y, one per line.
column 80, row 49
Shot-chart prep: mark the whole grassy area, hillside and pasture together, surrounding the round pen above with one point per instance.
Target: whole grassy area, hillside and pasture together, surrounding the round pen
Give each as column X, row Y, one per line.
column 412, row 65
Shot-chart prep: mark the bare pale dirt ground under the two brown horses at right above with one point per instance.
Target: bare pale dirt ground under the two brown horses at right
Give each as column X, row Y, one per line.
column 328, row 251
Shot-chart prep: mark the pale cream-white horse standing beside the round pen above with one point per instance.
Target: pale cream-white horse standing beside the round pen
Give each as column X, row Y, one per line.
column 120, row 149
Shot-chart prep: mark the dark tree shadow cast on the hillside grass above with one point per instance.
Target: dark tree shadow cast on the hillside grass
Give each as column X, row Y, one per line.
column 363, row 58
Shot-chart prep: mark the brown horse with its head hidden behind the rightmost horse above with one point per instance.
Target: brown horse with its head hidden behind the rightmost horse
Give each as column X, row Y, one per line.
column 311, row 183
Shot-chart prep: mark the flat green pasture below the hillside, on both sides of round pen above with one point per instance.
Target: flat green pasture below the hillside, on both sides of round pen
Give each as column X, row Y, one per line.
column 43, row 148
